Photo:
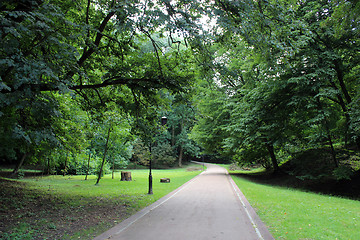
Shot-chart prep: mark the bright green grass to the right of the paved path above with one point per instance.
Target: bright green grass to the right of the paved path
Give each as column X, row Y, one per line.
column 295, row 214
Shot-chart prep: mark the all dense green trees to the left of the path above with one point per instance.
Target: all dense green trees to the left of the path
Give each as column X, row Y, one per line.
column 79, row 77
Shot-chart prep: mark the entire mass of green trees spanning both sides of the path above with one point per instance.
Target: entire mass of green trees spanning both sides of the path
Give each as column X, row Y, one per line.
column 86, row 82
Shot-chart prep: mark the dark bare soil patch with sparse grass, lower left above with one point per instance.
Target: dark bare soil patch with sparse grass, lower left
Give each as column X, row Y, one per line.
column 31, row 214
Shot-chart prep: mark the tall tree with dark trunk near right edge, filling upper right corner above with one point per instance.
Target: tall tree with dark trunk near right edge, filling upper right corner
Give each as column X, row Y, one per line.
column 284, row 31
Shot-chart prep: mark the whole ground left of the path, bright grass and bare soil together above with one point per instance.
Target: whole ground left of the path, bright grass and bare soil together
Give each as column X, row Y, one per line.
column 68, row 207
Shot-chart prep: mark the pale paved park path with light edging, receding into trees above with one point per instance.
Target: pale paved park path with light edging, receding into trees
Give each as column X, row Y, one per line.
column 210, row 206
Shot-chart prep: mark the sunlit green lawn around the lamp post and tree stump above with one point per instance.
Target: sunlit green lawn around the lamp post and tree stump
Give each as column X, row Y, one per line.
column 134, row 192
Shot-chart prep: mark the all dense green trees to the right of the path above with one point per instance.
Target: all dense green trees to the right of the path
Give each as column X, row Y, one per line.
column 287, row 80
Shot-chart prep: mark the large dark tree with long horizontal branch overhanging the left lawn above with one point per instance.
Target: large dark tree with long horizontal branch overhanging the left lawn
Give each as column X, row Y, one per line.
column 97, row 53
